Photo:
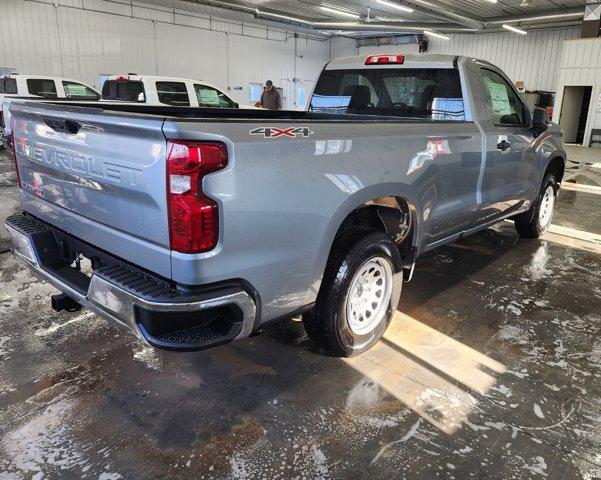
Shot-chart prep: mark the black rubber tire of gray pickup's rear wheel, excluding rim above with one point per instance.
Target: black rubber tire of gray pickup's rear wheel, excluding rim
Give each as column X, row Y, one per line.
column 327, row 324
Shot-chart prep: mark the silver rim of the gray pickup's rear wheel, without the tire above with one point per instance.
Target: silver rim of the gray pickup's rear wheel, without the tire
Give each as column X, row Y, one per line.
column 369, row 295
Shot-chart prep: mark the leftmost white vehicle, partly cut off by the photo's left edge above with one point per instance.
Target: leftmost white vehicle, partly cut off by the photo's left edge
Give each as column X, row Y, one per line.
column 39, row 86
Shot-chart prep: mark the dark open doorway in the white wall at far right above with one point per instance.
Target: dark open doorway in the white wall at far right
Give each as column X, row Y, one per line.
column 574, row 112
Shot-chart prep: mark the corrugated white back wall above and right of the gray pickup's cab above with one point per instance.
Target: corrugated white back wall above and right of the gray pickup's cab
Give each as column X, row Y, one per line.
column 533, row 58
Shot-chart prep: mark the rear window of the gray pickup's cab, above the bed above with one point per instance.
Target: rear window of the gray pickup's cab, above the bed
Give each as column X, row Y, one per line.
column 433, row 94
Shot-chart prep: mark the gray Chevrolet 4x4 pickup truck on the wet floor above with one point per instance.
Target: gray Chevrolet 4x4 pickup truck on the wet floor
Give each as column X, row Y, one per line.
column 197, row 227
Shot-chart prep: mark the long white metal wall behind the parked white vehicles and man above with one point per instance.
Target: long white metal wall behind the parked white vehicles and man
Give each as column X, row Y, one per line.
column 84, row 38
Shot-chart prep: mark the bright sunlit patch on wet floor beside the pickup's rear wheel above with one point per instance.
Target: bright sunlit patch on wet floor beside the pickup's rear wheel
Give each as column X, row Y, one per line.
column 433, row 374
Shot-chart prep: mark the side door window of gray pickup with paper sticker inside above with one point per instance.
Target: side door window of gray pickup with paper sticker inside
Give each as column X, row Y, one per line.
column 505, row 106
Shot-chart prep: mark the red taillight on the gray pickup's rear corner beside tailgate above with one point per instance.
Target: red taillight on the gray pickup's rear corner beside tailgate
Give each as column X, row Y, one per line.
column 193, row 217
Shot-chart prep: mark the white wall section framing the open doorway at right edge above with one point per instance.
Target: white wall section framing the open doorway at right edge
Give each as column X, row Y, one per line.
column 581, row 66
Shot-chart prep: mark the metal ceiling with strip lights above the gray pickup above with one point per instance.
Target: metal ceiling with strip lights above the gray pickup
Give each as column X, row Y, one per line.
column 443, row 16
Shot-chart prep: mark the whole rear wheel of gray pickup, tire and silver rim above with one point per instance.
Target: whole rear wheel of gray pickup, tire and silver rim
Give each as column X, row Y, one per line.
column 358, row 297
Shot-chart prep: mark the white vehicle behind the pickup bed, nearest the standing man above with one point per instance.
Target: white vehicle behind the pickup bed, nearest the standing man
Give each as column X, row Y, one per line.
column 152, row 90
